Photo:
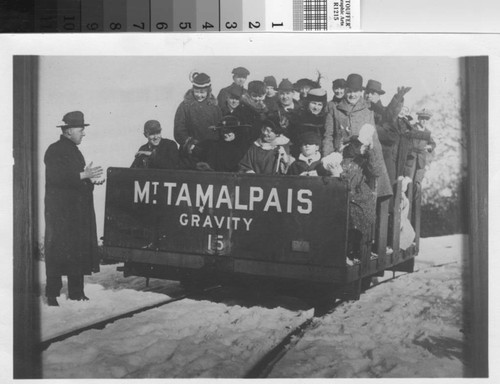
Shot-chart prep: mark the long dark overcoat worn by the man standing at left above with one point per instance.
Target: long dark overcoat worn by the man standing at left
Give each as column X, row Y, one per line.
column 70, row 228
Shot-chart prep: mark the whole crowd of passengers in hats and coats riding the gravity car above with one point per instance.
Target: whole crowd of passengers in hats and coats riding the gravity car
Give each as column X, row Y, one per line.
column 292, row 129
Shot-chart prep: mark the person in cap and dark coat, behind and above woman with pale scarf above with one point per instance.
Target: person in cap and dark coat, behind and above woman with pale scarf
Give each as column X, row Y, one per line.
column 252, row 110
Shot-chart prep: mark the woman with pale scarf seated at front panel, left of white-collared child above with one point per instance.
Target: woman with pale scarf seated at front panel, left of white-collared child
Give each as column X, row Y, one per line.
column 270, row 154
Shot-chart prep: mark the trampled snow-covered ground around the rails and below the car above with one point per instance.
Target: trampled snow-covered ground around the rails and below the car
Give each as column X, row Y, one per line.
column 408, row 327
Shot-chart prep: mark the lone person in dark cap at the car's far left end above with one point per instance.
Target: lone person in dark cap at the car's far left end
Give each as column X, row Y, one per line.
column 157, row 153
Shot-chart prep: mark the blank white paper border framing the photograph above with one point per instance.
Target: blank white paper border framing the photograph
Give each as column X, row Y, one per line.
column 286, row 44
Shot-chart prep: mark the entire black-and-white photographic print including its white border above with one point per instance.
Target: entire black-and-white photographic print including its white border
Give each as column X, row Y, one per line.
column 252, row 206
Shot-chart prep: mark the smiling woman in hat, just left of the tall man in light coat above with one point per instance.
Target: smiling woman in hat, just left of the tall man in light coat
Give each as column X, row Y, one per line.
column 310, row 119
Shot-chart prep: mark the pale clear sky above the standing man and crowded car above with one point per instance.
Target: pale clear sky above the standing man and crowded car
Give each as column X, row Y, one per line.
column 118, row 94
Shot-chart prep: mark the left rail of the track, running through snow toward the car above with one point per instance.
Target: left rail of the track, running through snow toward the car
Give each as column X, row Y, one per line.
column 102, row 323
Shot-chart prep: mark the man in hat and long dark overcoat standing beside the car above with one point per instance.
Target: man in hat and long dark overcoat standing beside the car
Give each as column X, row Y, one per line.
column 70, row 226
